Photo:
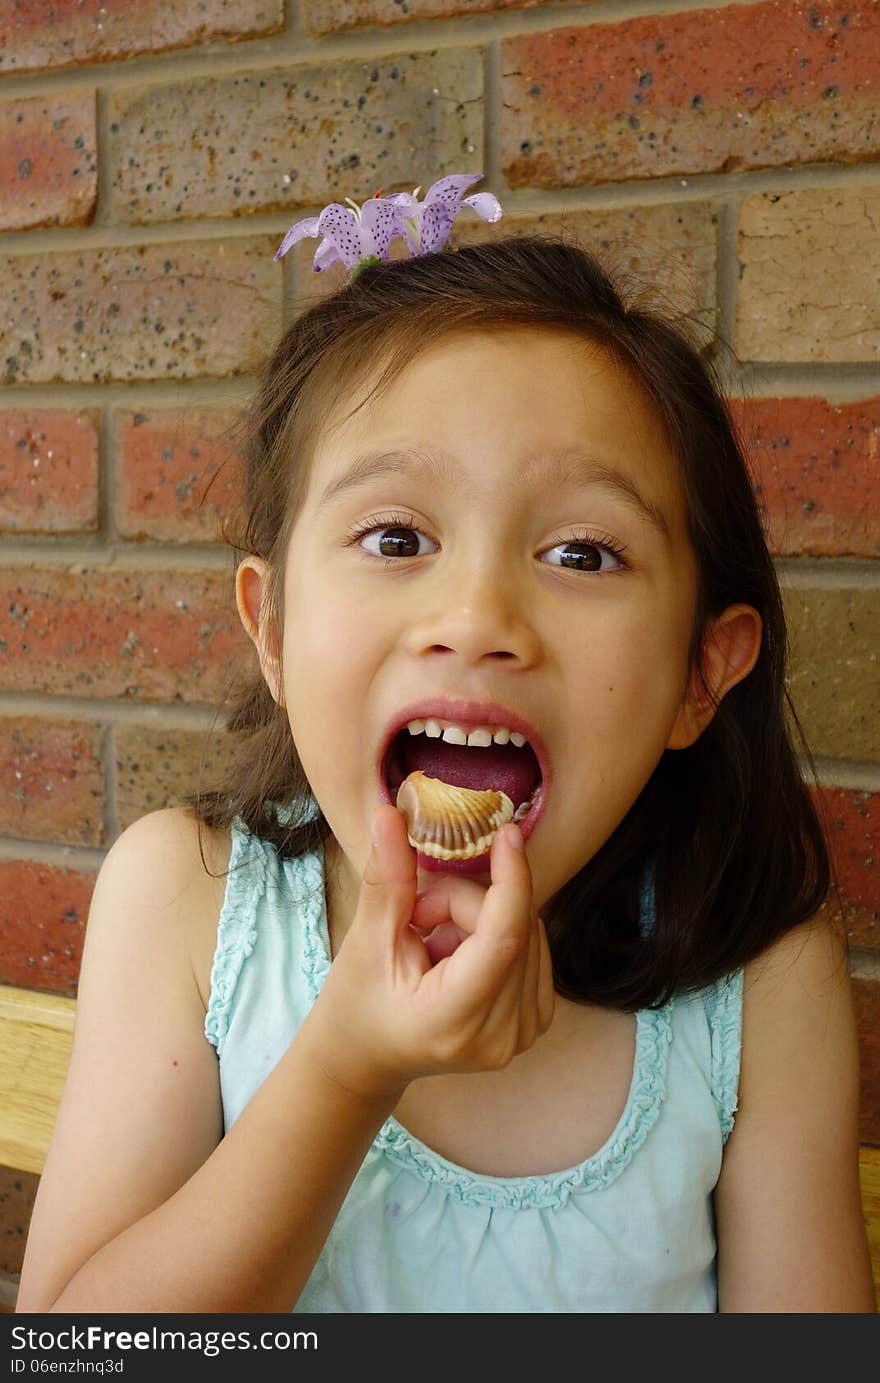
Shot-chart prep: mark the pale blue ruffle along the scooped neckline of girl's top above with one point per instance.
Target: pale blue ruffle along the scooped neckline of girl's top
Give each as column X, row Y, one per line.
column 641, row 1111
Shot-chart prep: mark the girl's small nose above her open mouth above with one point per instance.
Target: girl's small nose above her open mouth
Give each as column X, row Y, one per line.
column 477, row 619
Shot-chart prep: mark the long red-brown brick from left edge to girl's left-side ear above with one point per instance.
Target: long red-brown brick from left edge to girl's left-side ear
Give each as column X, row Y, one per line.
column 109, row 633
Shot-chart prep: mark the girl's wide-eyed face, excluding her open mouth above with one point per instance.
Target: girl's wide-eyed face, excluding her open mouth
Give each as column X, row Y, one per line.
column 479, row 566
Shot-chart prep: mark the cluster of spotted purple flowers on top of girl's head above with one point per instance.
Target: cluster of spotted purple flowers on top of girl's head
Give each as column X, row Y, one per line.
column 363, row 234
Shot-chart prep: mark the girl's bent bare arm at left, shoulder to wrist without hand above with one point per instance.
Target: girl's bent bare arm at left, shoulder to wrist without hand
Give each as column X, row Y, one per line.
column 143, row 1205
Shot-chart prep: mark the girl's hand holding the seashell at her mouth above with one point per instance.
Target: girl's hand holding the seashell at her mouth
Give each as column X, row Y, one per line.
column 388, row 1013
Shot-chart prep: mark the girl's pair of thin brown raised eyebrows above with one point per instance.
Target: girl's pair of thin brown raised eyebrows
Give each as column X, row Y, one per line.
column 571, row 470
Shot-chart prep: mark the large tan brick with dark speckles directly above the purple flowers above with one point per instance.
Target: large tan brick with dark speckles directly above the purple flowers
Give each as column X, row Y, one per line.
column 268, row 142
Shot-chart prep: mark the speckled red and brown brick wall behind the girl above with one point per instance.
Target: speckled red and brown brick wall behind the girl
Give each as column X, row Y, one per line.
column 153, row 156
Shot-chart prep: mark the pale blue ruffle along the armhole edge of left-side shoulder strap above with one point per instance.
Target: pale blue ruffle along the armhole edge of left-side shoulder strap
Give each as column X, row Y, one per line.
column 236, row 929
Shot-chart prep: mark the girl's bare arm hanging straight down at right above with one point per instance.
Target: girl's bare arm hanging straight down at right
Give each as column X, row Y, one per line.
column 789, row 1215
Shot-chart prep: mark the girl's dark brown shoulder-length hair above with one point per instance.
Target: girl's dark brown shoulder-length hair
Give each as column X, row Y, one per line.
column 727, row 826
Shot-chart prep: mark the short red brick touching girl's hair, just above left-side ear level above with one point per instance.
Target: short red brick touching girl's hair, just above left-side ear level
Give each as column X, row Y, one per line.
column 181, row 474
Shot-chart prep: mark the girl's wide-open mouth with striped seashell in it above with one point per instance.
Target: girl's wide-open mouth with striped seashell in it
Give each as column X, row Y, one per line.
column 463, row 785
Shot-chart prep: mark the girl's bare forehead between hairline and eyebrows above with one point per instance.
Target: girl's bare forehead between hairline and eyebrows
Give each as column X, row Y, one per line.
column 532, row 417
